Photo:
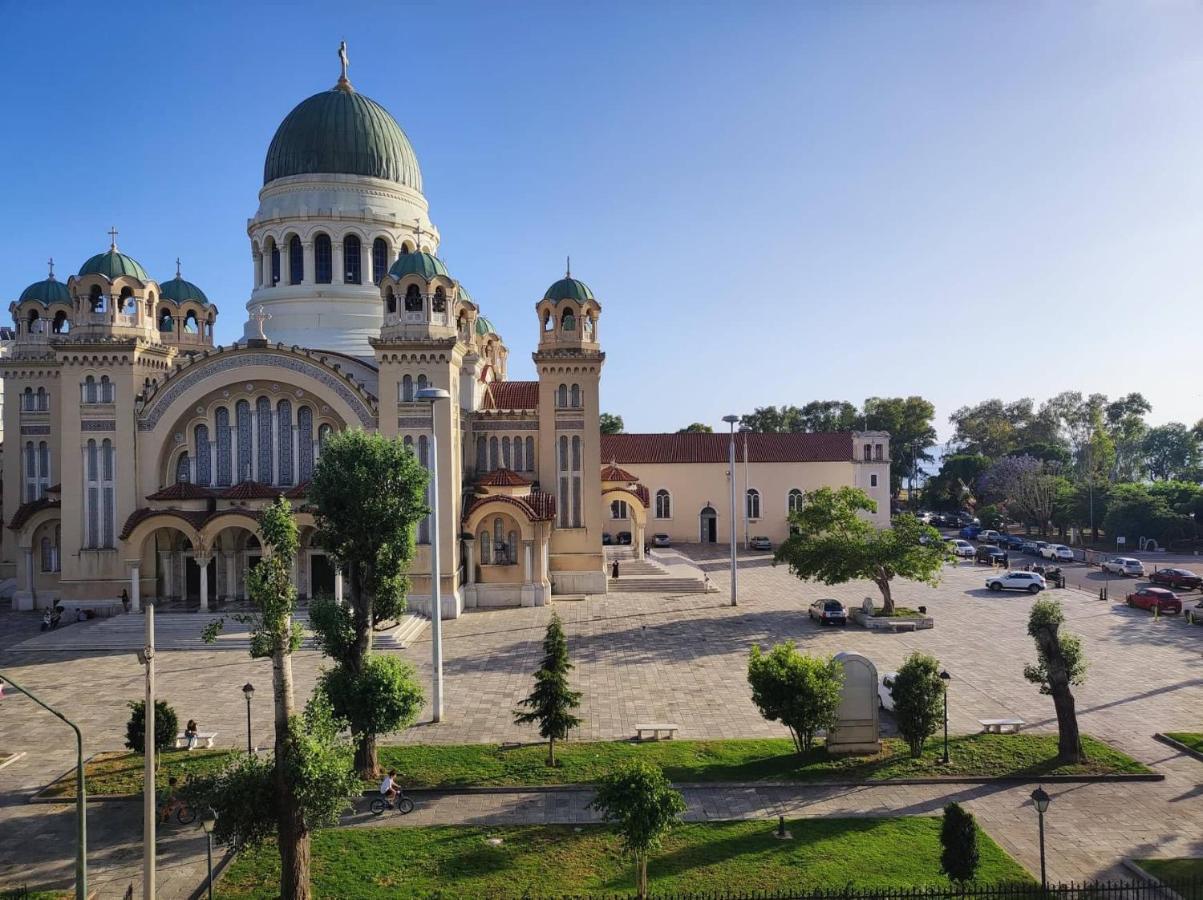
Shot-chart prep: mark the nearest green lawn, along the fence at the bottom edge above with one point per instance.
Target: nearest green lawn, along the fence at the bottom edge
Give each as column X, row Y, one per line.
column 556, row 861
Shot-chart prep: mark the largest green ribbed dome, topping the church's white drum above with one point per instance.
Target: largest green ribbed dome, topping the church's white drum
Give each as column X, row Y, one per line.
column 342, row 133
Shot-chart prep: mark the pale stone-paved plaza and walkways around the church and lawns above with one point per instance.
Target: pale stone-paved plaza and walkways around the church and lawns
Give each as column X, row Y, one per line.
column 649, row 658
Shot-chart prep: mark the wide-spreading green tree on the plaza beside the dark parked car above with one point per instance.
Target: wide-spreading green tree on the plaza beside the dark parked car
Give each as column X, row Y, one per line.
column 833, row 543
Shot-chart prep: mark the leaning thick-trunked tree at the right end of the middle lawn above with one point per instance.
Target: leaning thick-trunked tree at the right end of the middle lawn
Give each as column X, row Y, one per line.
column 1060, row 665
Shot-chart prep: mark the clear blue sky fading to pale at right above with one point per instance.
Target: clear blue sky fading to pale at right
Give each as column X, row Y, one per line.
column 774, row 203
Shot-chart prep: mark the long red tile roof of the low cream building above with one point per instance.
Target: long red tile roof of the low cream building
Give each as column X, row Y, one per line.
column 630, row 449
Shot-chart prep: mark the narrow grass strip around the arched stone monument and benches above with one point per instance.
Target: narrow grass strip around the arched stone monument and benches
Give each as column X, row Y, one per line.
column 751, row 760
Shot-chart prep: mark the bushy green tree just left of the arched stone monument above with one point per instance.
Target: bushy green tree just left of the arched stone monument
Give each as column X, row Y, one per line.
column 801, row 691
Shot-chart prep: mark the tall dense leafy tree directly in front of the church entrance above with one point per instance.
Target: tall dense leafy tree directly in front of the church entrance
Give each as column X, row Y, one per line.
column 369, row 494
